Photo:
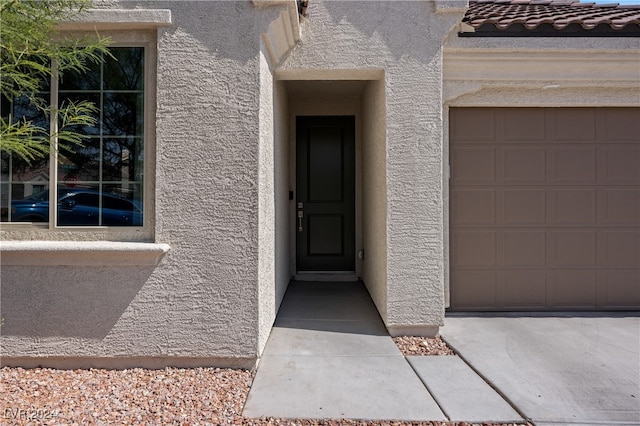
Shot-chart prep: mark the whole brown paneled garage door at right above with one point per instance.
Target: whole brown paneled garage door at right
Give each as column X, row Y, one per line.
column 545, row 208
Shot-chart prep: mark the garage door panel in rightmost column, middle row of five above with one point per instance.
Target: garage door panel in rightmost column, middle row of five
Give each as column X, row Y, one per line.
column 619, row 207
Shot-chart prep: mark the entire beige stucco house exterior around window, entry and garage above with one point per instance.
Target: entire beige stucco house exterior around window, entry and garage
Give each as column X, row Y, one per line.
column 217, row 255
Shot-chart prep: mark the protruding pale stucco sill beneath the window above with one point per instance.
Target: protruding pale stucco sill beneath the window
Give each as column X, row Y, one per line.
column 81, row 253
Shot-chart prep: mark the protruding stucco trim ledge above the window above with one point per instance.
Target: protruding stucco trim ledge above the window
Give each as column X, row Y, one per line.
column 112, row 19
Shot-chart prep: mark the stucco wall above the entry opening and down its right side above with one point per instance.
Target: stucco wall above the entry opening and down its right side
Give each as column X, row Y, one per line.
column 365, row 35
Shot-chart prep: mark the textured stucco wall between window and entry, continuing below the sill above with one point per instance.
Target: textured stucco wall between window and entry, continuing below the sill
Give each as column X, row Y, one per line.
column 202, row 303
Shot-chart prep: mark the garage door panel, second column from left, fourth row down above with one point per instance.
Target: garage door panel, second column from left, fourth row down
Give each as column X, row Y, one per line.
column 524, row 248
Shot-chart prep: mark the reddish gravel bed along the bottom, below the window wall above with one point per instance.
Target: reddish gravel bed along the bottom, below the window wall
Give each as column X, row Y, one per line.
column 198, row 396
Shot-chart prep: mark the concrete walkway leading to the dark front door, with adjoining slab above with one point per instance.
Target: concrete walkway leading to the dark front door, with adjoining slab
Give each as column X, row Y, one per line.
column 329, row 356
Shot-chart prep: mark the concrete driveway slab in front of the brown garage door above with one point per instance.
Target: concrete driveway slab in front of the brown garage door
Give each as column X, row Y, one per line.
column 580, row 369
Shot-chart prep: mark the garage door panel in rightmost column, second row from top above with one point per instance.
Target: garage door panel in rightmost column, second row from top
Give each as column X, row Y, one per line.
column 620, row 165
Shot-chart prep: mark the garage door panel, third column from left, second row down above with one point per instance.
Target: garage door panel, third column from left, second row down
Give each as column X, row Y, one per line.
column 573, row 165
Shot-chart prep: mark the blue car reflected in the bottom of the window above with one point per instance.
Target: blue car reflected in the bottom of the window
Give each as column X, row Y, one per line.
column 79, row 206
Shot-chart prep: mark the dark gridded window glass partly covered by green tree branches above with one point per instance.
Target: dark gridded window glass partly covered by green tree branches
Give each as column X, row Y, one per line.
column 100, row 183
